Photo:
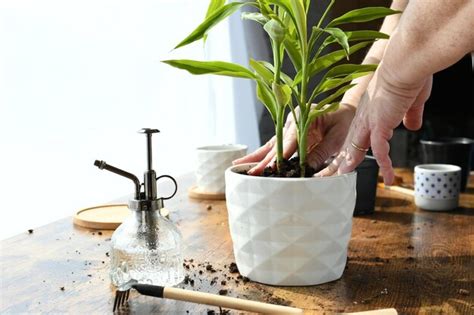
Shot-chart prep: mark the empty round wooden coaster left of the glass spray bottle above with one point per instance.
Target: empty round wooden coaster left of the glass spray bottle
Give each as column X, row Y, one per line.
column 106, row 217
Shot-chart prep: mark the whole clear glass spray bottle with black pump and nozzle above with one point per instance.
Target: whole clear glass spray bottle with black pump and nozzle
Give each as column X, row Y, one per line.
column 146, row 247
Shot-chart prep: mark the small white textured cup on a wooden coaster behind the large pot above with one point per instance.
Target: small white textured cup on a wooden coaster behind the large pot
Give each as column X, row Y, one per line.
column 212, row 161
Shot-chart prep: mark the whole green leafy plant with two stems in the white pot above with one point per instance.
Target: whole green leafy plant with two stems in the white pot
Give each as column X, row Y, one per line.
column 285, row 21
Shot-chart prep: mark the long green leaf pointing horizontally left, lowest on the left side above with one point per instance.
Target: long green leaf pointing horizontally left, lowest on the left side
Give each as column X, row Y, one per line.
column 212, row 67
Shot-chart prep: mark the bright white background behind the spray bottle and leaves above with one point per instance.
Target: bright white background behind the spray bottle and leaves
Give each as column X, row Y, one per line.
column 78, row 79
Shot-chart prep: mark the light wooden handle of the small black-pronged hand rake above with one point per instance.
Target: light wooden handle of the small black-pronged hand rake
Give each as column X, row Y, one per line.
column 227, row 302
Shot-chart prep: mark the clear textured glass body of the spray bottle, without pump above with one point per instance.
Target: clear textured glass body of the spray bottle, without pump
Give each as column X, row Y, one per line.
column 146, row 248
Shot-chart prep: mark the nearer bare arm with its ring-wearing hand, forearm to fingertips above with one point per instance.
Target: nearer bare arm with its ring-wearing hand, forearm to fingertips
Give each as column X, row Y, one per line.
column 431, row 36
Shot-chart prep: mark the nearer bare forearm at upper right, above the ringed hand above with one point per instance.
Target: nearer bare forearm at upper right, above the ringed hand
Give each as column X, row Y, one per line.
column 432, row 35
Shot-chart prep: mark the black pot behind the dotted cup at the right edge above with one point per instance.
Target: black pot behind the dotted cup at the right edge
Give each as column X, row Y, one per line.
column 456, row 151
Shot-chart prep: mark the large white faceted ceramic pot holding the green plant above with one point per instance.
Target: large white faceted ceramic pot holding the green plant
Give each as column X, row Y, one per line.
column 290, row 231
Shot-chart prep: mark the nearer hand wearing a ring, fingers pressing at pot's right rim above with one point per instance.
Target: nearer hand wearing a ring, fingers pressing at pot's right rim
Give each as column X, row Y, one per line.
column 385, row 104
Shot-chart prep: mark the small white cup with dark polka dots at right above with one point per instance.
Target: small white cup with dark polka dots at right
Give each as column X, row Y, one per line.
column 437, row 186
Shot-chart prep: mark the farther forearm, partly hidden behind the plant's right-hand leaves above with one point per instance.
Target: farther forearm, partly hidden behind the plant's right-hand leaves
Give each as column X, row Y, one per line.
column 374, row 55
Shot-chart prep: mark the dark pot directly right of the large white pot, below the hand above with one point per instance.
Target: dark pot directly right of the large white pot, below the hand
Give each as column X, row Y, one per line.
column 367, row 177
